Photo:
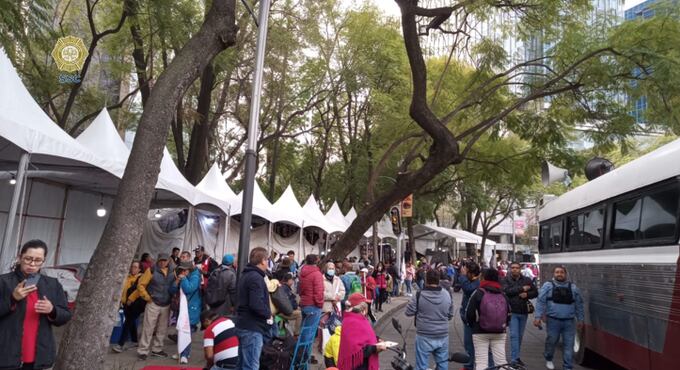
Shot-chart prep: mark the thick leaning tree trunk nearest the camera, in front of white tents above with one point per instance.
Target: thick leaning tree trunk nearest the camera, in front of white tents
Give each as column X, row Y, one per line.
column 99, row 294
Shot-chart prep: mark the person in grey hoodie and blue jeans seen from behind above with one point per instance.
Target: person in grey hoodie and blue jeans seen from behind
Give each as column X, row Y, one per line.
column 432, row 309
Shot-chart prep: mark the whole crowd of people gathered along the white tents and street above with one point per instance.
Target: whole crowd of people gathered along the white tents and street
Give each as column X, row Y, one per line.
column 275, row 296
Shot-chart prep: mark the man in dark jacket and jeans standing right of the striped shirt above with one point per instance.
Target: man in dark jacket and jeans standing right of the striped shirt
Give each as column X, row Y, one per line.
column 254, row 316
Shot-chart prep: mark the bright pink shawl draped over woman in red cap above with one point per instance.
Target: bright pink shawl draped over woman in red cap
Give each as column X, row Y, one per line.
column 356, row 333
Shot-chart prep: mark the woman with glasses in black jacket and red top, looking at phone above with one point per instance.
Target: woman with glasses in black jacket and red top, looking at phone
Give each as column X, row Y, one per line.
column 30, row 304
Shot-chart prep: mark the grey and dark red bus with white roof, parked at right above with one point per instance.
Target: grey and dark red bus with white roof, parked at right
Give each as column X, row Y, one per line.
column 617, row 235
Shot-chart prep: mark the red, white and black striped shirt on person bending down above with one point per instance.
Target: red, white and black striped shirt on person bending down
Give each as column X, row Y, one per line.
column 221, row 335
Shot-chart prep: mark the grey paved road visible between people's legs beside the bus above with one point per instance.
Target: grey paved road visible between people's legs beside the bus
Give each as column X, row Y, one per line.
column 532, row 346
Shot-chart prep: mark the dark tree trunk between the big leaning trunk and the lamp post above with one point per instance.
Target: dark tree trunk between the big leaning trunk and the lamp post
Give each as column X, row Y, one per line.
column 197, row 158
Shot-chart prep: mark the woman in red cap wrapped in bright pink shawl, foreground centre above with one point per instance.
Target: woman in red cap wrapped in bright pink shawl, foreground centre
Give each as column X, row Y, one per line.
column 359, row 347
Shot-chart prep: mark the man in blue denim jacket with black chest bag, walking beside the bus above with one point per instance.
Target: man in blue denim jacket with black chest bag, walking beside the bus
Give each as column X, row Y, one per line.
column 559, row 303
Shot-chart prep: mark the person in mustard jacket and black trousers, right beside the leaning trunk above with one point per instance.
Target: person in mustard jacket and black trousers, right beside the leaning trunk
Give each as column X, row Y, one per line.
column 133, row 306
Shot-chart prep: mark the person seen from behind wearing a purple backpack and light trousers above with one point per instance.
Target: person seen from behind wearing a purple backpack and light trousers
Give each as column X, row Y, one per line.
column 488, row 313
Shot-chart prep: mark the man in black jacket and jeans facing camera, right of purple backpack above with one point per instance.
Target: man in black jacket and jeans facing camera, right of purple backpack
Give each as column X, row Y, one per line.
column 519, row 289
